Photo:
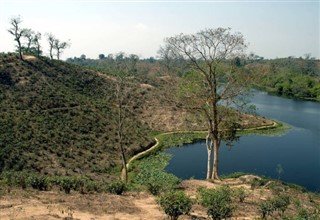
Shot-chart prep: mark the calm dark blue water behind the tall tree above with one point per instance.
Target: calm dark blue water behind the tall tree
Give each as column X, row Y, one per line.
column 298, row 151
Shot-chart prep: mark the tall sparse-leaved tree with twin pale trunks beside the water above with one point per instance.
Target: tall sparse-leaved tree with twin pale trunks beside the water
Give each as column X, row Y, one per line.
column 207, row 53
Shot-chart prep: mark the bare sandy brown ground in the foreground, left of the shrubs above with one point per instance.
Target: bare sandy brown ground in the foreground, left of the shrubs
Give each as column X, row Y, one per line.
column 56, row 205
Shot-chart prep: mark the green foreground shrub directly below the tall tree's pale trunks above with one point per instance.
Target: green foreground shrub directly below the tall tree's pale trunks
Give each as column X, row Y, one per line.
column 217, row 201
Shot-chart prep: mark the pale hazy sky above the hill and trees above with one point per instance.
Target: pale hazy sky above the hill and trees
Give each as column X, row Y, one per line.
column 272, row 28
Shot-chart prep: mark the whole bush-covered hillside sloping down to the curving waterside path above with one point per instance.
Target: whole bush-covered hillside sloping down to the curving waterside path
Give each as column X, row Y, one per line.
column 59, row 118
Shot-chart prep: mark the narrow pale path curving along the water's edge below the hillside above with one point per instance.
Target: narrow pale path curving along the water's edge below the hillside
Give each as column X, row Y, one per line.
column 153, row 147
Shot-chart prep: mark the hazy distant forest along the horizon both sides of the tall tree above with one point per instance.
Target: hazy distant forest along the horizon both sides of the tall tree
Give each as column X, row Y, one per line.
column 291, row 77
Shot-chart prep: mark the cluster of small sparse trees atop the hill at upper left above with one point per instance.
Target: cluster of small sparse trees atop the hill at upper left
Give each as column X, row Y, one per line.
column 28, row 41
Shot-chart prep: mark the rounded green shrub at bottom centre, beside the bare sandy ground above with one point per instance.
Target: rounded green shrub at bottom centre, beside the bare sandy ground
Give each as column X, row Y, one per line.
column 175, row 203
